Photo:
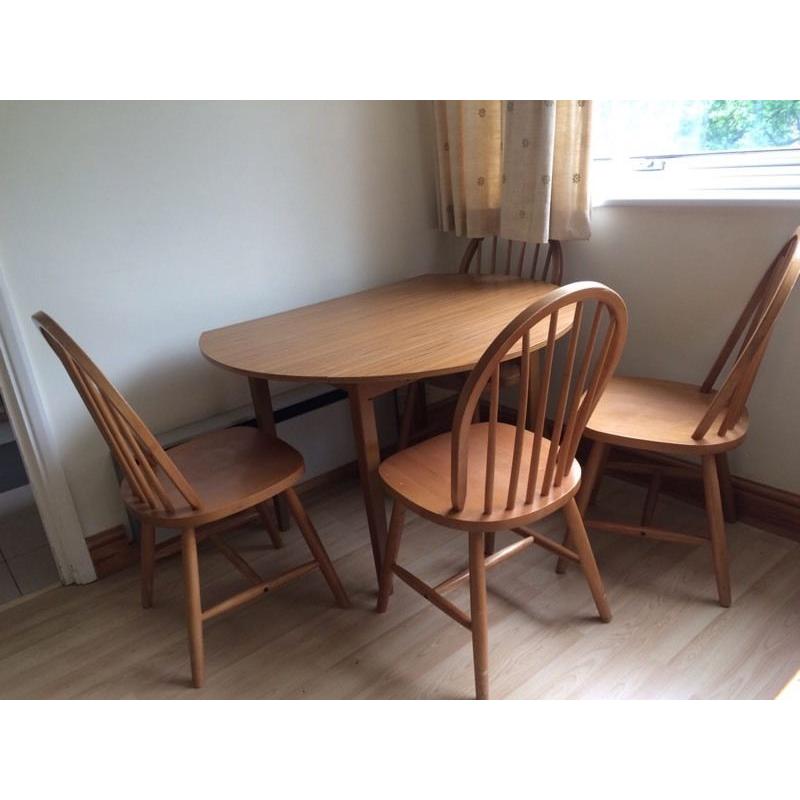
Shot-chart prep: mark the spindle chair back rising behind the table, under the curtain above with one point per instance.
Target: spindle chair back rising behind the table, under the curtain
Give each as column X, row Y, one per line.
column 508, row 257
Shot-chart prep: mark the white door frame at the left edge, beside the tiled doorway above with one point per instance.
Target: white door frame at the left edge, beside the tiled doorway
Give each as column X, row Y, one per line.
column 36, row 444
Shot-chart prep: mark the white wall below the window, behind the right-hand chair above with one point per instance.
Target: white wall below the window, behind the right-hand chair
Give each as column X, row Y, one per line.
column 686, row 273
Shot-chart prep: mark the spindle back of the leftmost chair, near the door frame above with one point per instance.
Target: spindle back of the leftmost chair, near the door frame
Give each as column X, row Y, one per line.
column 141, row 458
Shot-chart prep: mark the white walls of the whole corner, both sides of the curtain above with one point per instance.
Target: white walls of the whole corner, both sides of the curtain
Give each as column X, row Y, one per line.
column 138, row 225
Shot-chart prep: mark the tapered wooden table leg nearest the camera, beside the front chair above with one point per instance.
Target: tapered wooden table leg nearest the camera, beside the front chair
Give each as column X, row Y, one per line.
column 365, row 432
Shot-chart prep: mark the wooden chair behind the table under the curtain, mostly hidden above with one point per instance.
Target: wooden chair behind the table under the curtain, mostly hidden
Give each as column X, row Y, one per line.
column 504, row 257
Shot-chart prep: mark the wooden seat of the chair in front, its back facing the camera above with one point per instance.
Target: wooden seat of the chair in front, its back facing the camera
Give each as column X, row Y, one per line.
column 420, row 477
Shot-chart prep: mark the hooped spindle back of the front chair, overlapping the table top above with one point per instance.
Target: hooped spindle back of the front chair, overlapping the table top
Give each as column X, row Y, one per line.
column 590, row 353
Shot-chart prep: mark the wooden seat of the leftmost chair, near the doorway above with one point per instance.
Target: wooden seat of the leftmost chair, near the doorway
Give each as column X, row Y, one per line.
column 231, row 470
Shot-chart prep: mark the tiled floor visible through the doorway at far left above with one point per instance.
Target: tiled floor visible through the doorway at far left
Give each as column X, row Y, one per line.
column 26, row 563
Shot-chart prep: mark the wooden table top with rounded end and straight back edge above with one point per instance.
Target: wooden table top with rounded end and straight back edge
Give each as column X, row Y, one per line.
column 428, row 325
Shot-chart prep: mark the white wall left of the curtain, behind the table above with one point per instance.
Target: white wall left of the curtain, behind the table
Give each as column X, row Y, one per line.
column 138, row 225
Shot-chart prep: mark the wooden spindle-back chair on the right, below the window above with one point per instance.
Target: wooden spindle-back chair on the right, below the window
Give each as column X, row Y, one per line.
column 680, row 420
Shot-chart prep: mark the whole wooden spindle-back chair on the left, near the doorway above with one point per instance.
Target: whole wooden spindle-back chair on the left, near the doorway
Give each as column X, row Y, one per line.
column 207, row 479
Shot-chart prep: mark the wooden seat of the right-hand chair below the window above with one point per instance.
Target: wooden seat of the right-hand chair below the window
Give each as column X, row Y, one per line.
column 658, row 416
